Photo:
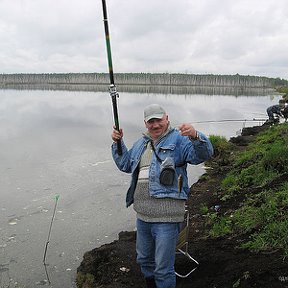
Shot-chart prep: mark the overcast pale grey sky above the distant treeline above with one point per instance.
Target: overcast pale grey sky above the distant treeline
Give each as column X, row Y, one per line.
column 248, row 37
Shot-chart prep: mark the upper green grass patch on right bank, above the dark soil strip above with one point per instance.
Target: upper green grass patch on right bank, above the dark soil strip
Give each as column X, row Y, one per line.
column 263, row 161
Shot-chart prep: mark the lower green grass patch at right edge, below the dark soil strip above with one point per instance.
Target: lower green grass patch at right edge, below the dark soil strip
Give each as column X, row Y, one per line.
column 264, row 216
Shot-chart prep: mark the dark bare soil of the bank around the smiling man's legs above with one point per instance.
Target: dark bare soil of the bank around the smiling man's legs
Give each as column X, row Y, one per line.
column 221, row 262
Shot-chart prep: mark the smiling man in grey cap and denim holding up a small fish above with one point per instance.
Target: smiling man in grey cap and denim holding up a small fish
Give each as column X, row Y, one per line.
column 159, row 194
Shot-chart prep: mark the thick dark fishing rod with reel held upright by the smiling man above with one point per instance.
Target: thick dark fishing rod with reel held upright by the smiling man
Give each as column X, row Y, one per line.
column 112, row 88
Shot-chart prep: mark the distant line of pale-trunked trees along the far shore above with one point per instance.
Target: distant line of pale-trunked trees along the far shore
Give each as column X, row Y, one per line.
column 151, row 79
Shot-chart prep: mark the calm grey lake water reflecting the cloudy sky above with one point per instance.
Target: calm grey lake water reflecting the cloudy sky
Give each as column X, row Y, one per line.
column 58, row 143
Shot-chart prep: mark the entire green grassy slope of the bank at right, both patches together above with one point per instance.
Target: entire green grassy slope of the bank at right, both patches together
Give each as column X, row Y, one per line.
column 255, row 192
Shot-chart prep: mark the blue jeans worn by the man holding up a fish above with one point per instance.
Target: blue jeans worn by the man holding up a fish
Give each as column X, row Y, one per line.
column 155, row 247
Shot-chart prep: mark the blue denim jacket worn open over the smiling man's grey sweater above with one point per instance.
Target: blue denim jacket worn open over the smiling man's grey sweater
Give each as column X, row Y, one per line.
column 180, row 148
